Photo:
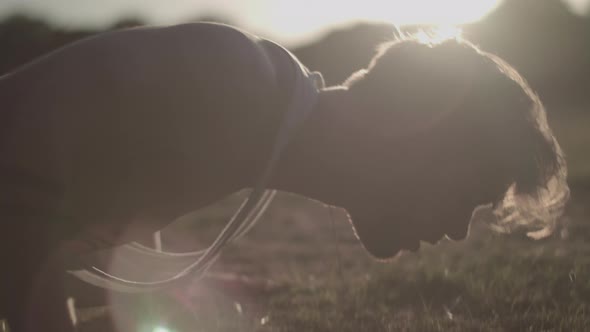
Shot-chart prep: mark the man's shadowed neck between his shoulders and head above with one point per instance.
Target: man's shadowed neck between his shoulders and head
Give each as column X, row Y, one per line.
column 313, row 163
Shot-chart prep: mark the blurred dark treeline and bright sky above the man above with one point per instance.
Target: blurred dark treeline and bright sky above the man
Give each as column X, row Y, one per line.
column 548, row 41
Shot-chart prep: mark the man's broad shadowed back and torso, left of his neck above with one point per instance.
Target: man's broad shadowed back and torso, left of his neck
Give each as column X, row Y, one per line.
column 144, row 125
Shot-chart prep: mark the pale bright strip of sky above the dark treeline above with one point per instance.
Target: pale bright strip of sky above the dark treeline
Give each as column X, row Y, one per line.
column 290, row 22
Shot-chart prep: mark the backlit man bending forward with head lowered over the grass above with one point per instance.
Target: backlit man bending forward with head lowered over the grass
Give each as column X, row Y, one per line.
column 111, row 138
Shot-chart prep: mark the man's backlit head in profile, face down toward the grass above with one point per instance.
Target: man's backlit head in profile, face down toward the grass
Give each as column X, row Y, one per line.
column 446, row 128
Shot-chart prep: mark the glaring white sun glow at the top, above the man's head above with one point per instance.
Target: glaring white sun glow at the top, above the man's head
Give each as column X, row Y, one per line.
column 305, row 19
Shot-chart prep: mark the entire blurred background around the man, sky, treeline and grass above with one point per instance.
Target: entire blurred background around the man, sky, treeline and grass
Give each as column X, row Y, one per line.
column 505, row 284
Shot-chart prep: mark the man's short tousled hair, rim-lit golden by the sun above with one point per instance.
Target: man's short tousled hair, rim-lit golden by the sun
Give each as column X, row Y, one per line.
column 482, row 109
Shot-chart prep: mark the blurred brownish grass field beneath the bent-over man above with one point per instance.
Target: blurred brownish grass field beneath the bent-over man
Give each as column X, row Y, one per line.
column 323, row 281
